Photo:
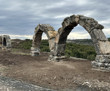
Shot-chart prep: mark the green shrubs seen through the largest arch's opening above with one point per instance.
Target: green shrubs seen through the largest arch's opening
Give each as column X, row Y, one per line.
column 80, row 51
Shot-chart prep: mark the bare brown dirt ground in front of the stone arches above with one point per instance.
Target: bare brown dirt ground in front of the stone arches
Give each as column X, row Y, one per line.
column 52, row 75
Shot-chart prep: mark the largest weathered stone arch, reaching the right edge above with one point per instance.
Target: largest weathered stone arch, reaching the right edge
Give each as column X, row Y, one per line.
column 100, row 41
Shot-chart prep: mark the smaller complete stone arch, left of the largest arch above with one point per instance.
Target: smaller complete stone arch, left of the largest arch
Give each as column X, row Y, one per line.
column 49, row 31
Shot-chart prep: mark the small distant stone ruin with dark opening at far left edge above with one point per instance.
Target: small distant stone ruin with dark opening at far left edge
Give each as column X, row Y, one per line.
column 5, row 42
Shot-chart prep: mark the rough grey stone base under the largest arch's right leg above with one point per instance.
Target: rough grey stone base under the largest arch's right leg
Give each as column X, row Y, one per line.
column 102, row 61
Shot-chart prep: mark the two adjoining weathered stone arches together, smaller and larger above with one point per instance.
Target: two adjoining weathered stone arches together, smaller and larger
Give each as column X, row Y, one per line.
column 57, row 42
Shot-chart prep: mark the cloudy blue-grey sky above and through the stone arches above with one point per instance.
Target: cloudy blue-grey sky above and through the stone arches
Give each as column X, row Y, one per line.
column 18, row 18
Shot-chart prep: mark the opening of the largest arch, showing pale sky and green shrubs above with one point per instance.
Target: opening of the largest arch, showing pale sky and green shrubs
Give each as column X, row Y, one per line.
column 79, row 44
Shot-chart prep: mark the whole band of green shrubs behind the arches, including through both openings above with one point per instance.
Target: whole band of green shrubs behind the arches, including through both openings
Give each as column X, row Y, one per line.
column 72, row 49
